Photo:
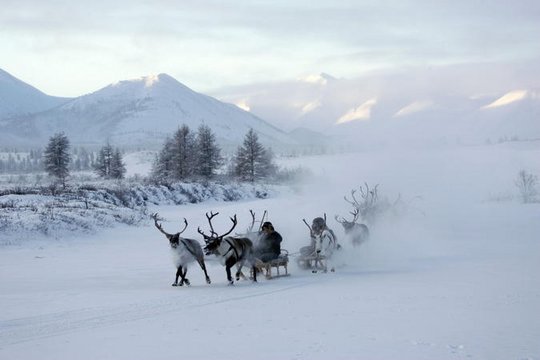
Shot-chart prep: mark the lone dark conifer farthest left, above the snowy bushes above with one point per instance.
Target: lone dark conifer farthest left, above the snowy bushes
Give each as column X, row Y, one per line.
column 57, row 157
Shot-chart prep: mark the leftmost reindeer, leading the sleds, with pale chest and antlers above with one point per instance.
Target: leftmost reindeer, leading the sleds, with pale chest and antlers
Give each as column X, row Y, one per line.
column 184, row 251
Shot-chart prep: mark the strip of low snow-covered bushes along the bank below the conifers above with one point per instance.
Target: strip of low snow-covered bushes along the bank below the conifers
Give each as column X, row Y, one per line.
column 87, row 208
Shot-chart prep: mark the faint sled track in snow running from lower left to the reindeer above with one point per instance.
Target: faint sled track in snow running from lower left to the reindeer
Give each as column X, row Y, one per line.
column 30, row 328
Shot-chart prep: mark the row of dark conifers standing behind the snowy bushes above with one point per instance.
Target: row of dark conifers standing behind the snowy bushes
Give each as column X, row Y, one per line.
column 185, row 156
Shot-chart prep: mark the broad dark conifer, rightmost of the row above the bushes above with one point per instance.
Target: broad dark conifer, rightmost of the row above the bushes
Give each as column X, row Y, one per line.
column 252, row 161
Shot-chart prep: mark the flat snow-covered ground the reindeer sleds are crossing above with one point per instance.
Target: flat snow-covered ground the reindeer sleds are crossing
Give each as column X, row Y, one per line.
column 452, row 273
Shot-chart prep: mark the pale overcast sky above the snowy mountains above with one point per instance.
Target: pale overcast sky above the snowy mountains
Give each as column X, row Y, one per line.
column 69, row 48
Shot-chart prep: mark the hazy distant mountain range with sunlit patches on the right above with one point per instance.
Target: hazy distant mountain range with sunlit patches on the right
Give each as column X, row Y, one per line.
column 416, row 105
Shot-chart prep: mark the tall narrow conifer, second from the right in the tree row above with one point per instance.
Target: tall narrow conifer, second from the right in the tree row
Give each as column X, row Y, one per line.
column 208, row 153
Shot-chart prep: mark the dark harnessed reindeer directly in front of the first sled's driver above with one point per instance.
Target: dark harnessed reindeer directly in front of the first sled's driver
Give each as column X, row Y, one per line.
column 231, row 250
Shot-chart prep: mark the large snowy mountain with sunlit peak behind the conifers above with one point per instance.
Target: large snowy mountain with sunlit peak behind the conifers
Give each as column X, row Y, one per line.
column 139, row 112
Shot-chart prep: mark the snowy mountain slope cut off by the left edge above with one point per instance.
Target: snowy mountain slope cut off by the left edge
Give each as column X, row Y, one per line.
column 19, row 98
